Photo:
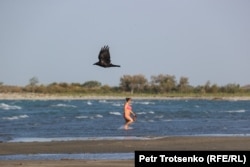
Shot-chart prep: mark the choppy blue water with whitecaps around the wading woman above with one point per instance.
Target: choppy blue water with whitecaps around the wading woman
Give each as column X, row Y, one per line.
column 28, row 120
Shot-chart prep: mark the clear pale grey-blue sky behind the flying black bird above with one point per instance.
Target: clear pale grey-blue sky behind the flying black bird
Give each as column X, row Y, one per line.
column 59, row 40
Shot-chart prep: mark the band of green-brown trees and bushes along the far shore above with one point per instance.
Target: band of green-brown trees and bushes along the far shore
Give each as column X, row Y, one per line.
column 139, row 84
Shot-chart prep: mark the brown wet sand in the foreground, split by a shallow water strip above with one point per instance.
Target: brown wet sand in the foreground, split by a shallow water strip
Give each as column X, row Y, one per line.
column 114, row 146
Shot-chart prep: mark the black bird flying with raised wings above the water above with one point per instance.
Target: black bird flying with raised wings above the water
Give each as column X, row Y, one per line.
column 104, row 58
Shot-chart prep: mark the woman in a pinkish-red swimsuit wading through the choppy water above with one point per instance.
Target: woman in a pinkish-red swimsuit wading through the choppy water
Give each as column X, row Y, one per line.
column 127, row 113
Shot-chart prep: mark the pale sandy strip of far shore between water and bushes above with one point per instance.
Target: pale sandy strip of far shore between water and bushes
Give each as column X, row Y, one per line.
column 37, row 96
